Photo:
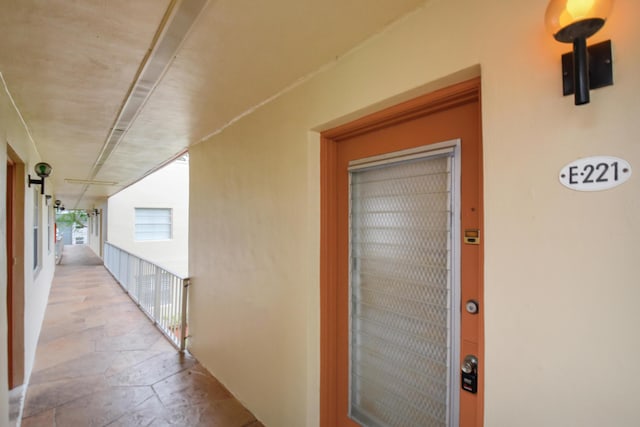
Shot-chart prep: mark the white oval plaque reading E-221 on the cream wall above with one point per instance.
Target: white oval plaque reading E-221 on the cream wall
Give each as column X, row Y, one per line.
column 595, row 173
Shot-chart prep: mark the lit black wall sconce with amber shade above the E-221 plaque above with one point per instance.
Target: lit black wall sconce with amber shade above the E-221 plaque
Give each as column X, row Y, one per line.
column 573, row 21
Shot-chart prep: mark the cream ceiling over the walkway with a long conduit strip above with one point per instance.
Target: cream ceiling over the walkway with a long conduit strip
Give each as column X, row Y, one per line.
column 111, row 90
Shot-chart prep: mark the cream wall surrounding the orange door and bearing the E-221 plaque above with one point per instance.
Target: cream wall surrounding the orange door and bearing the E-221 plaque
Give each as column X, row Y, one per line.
column 560, row 282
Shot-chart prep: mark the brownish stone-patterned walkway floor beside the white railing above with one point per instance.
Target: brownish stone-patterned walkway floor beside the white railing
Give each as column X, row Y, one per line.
column 100, row 362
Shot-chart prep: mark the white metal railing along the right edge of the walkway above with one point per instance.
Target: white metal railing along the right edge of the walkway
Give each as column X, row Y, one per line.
column 159, row 293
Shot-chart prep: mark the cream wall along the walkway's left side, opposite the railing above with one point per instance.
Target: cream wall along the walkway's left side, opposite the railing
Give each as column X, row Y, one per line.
column 36, row 284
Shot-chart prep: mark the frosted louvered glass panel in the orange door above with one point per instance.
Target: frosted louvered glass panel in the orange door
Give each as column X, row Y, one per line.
column 400, row 287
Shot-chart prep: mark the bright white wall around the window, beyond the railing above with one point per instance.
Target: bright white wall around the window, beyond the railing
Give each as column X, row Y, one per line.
column 166, row 188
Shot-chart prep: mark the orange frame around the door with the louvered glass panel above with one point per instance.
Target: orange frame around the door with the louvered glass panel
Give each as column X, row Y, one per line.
column 444, row 99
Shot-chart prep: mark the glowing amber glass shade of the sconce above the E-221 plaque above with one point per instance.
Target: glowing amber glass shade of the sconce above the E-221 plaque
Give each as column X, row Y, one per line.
column 568, row 20
